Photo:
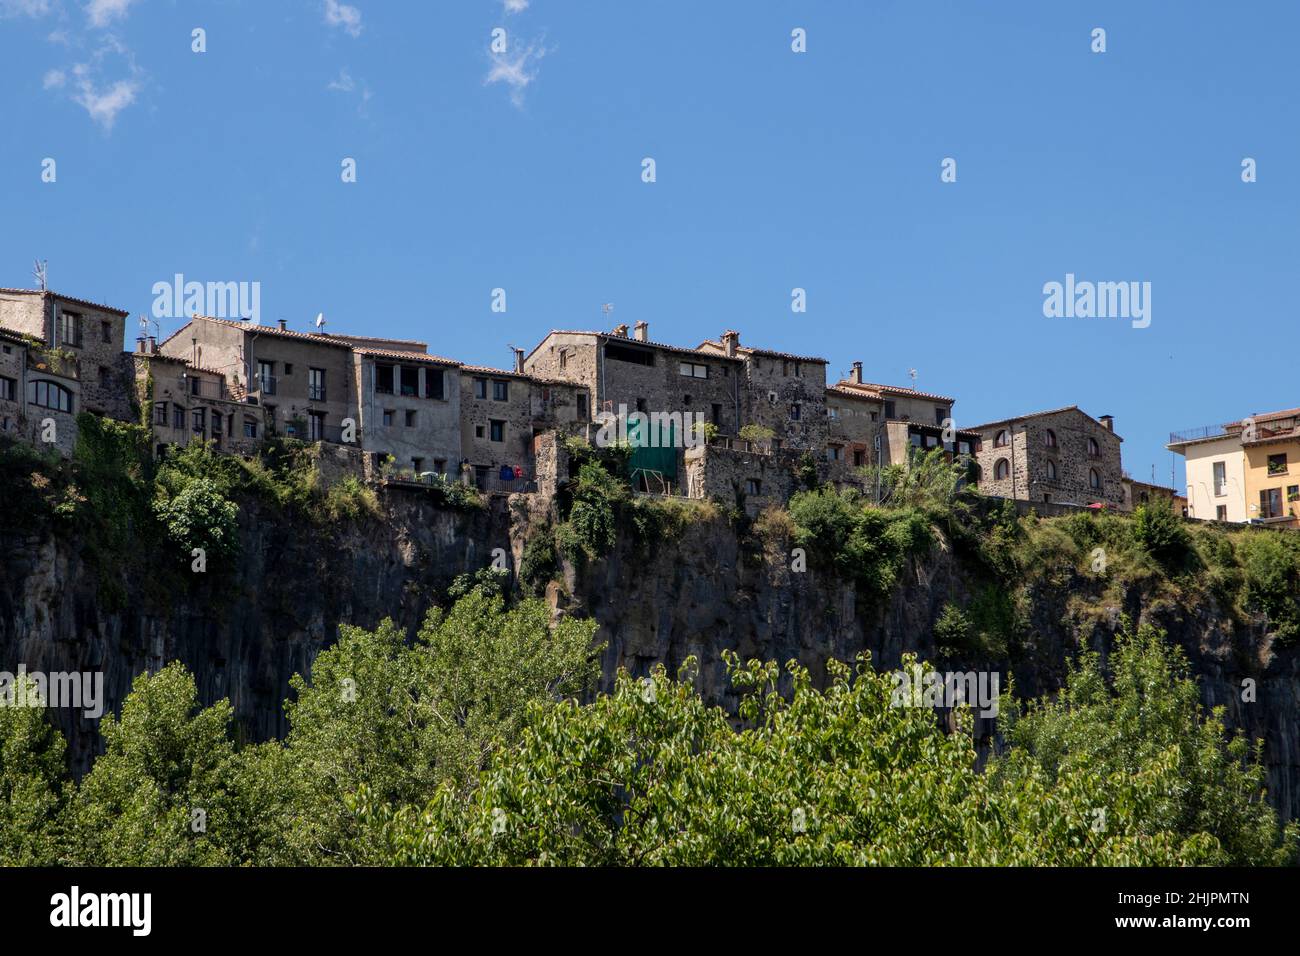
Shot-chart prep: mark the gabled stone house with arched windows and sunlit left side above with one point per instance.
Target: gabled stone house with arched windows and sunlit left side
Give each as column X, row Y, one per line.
column 1063, row 456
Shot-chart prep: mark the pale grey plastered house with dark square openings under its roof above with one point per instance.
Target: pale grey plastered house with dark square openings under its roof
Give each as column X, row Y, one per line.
column 409, row 409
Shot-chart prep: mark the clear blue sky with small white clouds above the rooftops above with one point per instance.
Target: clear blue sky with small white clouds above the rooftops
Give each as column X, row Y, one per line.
column 774, row 171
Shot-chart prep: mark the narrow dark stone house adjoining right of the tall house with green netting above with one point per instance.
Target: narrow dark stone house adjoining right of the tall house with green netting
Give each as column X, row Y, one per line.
column 783, row 392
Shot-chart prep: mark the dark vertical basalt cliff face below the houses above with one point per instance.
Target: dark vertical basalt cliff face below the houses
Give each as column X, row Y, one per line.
column 245, row 634
